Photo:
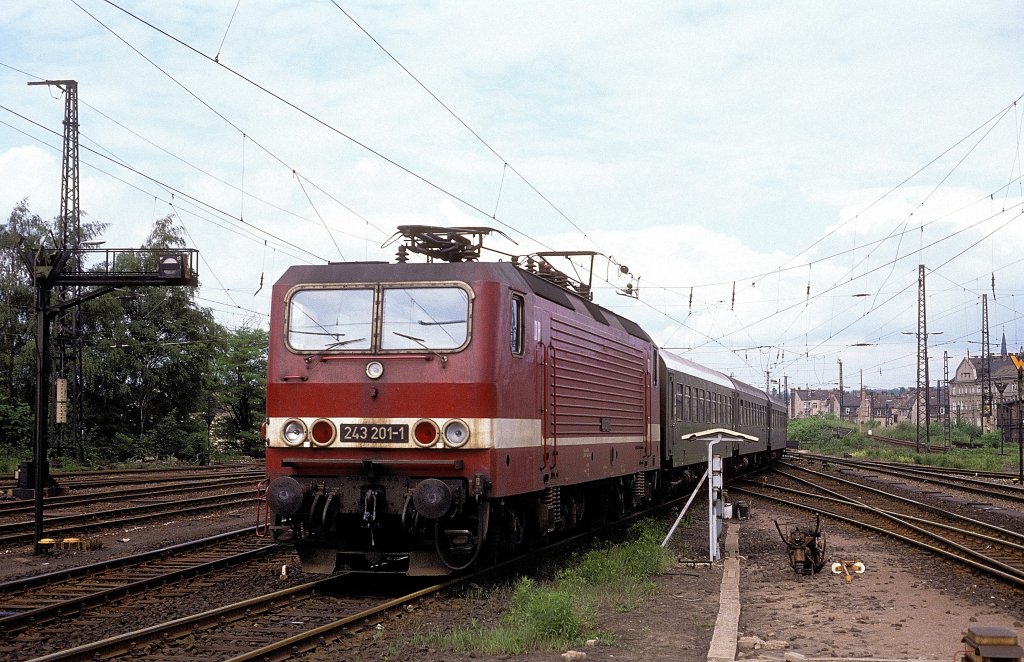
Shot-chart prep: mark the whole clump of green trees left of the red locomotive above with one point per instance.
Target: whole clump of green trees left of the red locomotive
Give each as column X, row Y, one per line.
column 154, row 363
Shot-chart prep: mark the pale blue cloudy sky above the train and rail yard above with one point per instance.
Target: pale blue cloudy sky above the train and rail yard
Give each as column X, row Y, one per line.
column 771, row 175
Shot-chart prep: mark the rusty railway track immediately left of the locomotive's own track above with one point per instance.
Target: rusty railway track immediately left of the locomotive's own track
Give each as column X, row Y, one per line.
column 40, row 599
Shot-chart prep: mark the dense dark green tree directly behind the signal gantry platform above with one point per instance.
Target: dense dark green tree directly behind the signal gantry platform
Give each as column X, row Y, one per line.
column 150, row 356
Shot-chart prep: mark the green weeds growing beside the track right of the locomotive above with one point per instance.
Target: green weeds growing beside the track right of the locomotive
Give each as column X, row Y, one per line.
column 563, row 613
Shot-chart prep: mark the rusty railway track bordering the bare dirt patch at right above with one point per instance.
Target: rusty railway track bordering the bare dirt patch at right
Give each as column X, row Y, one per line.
column 968, row 542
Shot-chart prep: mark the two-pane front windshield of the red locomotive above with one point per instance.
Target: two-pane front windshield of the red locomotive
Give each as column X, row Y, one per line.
column 411, row 318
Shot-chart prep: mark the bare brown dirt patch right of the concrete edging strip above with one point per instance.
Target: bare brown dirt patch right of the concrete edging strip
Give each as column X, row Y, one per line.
column 907, row 605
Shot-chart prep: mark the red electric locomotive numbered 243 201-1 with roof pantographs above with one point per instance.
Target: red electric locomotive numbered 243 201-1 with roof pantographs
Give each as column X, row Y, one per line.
column 420, row 413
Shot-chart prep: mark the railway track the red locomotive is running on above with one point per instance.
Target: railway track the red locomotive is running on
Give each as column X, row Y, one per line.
column 277, row 626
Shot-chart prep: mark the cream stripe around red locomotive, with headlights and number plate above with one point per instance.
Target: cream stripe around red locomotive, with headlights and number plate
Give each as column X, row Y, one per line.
column 423, row 433
